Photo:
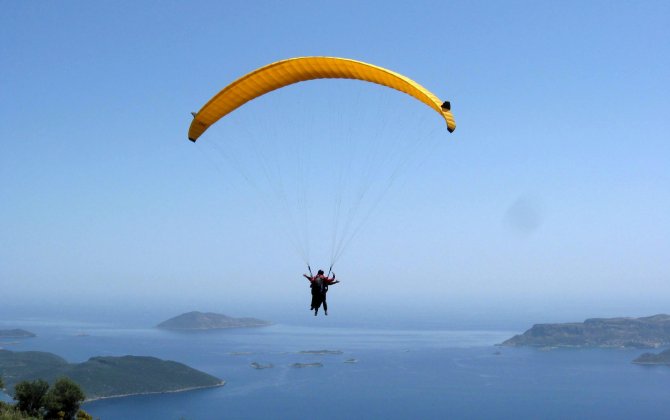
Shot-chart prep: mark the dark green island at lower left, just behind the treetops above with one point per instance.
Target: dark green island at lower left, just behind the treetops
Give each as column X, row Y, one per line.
column 105, row 377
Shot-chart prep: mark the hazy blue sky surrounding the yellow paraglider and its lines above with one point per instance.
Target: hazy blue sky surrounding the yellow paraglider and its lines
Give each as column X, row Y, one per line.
column 555, row 186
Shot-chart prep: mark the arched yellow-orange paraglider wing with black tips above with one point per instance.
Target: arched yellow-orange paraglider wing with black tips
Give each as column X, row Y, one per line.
column 294, row 70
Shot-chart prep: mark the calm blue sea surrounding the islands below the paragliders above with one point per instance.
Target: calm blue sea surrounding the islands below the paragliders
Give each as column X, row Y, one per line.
column 380, row 374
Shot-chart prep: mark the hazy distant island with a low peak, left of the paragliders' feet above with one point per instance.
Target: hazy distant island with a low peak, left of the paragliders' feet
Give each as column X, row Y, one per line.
column 194, row 321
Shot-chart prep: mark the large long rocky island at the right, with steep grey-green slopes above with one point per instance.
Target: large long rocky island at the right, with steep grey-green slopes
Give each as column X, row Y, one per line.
column 645, row 332
